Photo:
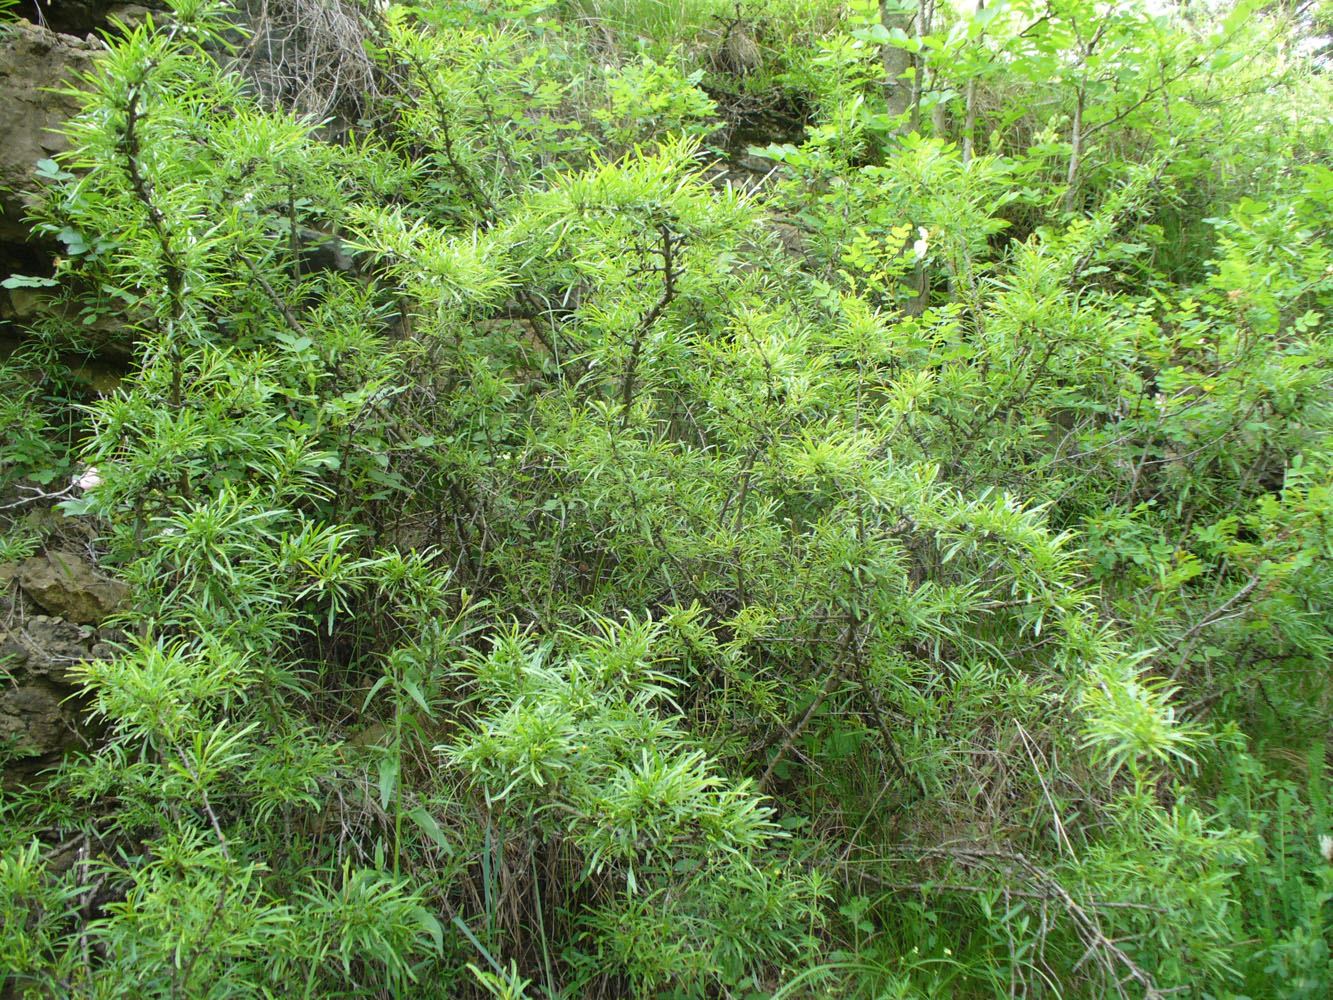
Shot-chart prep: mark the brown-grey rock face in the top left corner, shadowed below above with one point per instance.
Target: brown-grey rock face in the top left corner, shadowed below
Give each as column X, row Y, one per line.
column 33, row 59
